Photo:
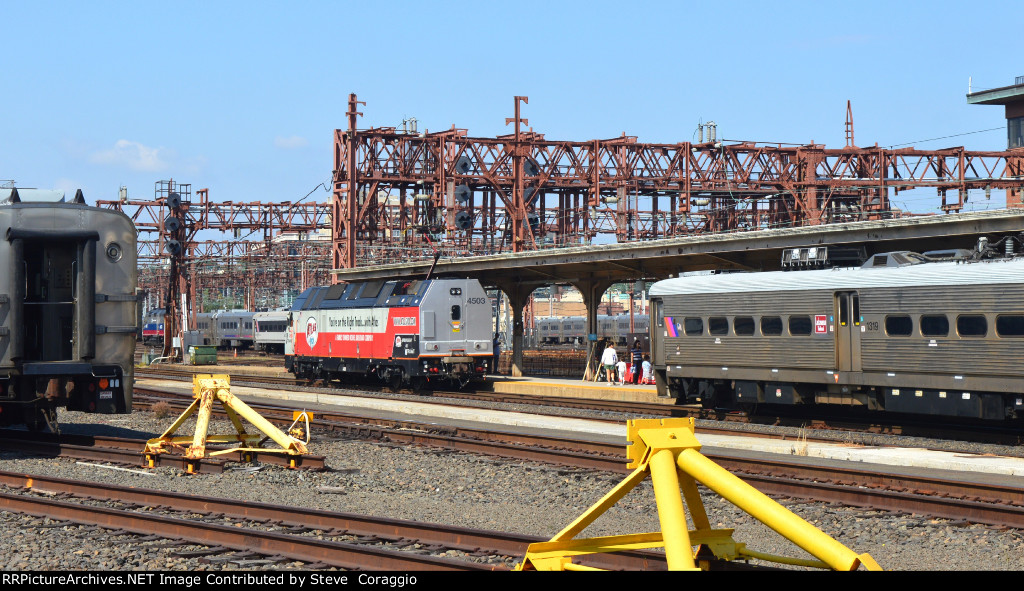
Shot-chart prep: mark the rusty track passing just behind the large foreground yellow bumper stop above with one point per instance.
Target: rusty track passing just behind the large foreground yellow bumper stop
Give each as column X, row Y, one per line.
column 950, row 498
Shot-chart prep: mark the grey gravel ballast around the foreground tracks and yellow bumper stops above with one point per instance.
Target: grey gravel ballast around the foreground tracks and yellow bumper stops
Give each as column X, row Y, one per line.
column 435, row 486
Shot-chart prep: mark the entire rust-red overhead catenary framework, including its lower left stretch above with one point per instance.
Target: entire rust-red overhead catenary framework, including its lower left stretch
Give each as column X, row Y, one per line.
column 406, row 196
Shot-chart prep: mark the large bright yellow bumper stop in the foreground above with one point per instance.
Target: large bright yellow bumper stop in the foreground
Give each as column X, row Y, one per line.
column 668, row 452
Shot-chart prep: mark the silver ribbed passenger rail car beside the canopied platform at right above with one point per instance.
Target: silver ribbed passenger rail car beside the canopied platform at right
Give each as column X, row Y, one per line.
column 901, row 334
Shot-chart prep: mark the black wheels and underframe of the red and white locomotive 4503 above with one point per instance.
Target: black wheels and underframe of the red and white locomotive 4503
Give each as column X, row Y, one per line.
column 419, row 374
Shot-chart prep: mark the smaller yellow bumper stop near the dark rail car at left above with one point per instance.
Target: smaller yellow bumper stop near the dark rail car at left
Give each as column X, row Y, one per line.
column 208, row 390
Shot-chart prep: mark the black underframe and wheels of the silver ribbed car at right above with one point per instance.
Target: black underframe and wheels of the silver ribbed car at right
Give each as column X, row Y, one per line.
column 747, row 395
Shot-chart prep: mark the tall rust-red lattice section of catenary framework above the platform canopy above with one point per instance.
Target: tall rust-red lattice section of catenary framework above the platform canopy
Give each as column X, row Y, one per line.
column 405, row 196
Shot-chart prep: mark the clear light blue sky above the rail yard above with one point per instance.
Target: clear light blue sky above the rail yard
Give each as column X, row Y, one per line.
column 243, row 98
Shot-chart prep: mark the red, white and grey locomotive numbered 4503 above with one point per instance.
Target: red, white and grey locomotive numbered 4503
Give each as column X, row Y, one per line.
column 415, row 333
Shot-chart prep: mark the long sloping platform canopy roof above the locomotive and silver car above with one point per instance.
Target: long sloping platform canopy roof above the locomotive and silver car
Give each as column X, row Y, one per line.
column 761, row 250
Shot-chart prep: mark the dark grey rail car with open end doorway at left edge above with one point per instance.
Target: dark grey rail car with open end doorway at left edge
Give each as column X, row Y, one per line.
column 69, row 321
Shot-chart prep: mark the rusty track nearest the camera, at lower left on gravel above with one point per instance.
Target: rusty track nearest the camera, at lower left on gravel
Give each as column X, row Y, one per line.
column 345, row 541
